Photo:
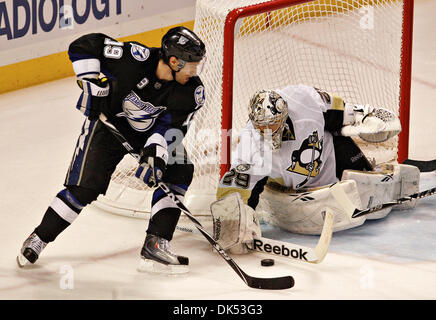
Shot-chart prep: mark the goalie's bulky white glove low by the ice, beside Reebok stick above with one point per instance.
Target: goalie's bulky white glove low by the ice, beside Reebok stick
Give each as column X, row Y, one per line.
column 234, row 224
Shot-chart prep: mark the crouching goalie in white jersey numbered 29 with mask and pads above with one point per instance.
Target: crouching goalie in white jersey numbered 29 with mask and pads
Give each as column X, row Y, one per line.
column 295, row 145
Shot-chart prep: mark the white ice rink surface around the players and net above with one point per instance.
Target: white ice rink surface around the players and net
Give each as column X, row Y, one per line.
column 393, row 258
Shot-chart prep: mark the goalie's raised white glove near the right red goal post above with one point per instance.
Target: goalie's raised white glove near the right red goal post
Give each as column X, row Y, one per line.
column 369, row 123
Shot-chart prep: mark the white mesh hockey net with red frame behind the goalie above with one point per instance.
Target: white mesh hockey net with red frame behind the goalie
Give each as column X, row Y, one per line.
column 352, row 48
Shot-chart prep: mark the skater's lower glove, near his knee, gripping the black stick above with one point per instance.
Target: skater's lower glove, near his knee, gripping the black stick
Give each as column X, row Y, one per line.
column 152, row 164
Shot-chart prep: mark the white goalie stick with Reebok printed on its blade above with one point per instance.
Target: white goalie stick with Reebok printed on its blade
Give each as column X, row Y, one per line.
column 287, row 249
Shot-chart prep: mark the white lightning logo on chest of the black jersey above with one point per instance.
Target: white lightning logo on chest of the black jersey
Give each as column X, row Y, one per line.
column 139, row 114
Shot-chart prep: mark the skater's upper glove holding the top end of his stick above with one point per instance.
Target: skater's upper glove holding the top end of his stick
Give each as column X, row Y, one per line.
column 94, row 96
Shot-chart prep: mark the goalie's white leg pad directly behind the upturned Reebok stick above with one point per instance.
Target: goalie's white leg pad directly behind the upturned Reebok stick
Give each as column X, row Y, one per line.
column 304, row 212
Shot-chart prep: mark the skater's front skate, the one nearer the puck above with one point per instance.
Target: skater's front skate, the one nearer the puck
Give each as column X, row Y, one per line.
column 156, row 257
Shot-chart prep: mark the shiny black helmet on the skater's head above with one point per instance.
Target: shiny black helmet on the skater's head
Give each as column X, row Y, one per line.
column 183, row 44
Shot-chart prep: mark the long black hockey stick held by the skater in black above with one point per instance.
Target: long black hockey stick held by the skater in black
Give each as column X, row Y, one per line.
column 284, row 282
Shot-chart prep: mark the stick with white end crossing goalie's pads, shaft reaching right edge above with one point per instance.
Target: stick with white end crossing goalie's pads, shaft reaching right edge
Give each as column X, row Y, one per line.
column 351, row 209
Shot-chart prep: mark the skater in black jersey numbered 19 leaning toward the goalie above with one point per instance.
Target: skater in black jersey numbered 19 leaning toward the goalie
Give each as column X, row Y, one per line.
column 150, row 95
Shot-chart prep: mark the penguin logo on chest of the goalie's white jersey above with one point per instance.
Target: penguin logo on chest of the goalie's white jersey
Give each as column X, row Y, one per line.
column 307, row 160
